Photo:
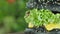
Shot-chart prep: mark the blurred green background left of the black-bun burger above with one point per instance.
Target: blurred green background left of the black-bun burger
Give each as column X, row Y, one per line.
column 12, row 16
